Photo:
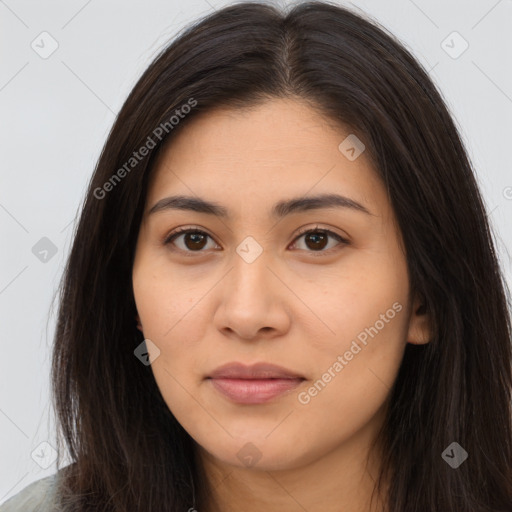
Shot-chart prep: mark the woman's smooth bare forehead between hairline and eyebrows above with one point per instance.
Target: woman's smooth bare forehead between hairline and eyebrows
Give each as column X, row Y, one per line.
column 259, row 155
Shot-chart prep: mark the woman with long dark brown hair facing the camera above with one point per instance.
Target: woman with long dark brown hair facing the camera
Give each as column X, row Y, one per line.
column 283, row 292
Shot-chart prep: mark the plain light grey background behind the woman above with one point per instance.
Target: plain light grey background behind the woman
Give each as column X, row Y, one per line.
column 56, row 111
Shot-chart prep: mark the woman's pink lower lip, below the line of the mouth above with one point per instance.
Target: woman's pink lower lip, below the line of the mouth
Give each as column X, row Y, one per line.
column 254, row 391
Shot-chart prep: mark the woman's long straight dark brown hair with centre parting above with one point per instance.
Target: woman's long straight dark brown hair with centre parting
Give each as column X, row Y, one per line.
column 129, row 453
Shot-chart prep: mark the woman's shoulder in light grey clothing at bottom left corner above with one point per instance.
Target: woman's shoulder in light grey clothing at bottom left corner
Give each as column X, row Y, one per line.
column 37, row 496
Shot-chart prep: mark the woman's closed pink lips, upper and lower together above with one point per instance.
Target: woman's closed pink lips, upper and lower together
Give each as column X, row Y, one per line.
column 254, row 384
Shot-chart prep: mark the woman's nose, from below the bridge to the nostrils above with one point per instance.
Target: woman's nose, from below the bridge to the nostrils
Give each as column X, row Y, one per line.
column 253, row 301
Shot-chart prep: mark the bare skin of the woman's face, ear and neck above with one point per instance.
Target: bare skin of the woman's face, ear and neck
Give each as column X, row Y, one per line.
column 295, row 305
